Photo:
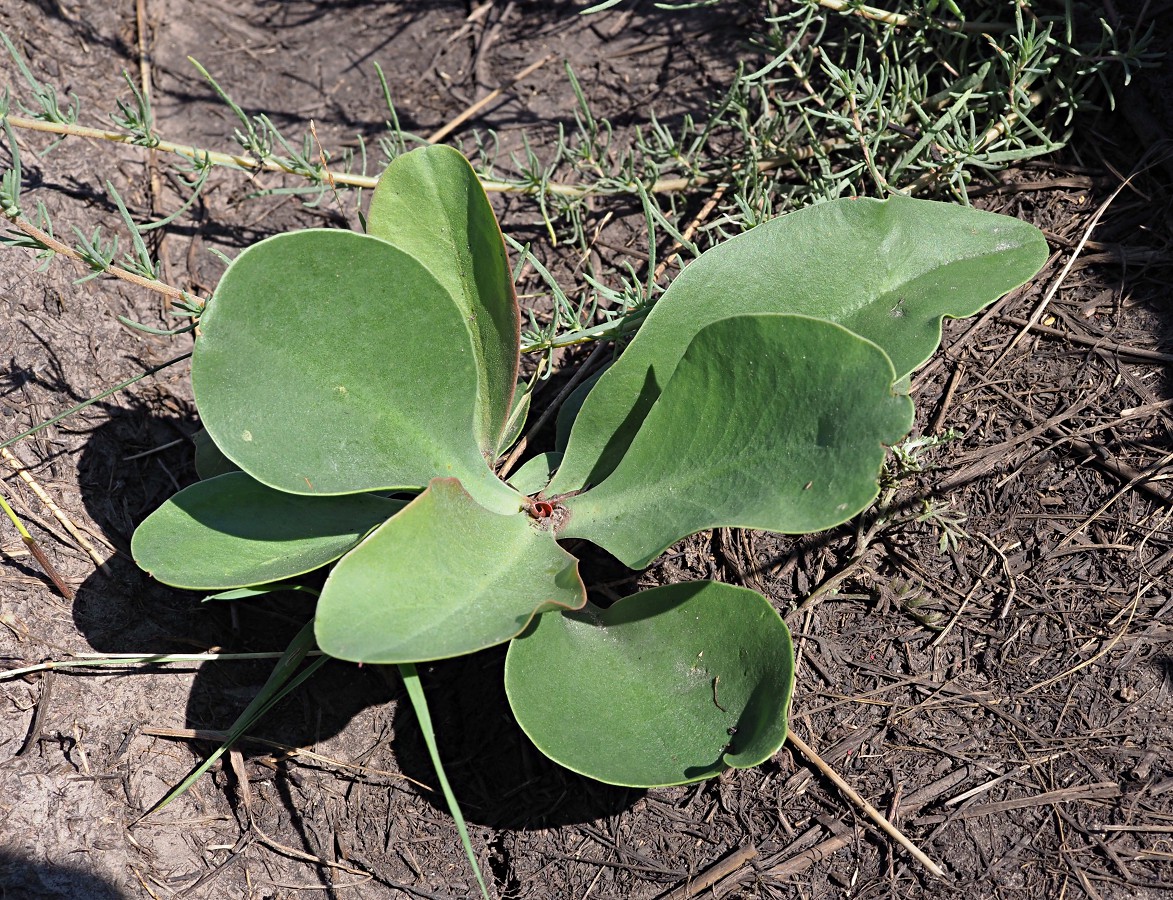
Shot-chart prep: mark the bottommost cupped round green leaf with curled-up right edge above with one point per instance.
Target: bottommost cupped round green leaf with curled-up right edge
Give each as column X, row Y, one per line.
column 672, row 686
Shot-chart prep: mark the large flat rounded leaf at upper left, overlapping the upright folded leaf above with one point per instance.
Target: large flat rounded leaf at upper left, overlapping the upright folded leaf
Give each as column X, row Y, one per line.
column 334, row 363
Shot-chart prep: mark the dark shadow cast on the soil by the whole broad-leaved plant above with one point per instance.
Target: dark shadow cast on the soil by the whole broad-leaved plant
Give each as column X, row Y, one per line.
column 500, row 779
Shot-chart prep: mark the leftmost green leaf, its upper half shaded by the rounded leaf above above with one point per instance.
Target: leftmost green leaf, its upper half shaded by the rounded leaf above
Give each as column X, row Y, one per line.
column 232, row 531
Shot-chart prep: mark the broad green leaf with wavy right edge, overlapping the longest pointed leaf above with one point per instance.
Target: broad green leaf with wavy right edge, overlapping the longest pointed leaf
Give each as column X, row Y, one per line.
column 770, row 422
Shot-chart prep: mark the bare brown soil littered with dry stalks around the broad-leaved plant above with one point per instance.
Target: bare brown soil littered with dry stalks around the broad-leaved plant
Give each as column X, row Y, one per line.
column 1006, row 702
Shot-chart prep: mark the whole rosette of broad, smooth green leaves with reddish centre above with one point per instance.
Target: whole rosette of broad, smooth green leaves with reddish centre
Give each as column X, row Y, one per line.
column 362, row 390
